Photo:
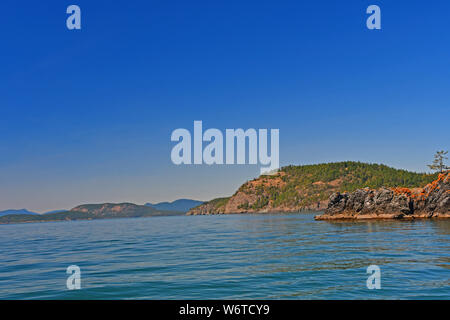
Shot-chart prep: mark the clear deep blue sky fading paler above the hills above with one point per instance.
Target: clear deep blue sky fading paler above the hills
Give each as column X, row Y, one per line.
column 86, row 116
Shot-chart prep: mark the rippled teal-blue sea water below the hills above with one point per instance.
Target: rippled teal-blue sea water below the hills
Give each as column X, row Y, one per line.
column 265, row 256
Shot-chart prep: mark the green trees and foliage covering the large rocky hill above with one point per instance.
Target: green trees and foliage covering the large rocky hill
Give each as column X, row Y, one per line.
column 306, row 185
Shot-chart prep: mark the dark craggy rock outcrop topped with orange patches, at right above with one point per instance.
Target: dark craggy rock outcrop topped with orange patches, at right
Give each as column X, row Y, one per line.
column 432, row 201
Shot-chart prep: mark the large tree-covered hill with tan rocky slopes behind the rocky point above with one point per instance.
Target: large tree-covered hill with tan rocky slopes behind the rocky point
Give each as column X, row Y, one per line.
column 296, row 188
